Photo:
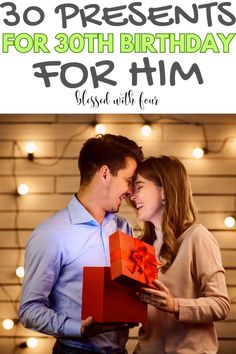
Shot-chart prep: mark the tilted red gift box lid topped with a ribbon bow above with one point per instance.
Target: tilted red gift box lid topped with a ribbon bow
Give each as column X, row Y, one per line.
column 133, row 262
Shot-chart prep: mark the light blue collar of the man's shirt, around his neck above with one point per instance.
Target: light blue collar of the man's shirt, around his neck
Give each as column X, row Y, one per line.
column 80, row 215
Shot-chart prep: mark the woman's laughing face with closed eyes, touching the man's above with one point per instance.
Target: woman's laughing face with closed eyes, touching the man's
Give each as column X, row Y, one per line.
column 148, row 199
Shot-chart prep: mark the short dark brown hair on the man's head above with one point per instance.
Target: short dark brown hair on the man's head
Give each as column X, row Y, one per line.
column 108, row 149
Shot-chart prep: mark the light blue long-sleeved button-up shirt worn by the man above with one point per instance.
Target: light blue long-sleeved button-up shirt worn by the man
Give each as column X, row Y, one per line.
column 56, row 253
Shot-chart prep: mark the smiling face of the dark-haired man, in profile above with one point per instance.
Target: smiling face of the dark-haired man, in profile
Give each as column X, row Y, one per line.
column 120, row 186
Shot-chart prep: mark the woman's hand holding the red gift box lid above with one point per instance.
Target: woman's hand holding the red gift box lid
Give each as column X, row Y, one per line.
column 160, row 297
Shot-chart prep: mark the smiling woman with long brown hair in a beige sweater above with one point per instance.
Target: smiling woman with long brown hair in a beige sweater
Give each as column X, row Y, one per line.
column 191, row 291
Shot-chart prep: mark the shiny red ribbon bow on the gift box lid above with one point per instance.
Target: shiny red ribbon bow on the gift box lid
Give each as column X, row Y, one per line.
column 144, row 263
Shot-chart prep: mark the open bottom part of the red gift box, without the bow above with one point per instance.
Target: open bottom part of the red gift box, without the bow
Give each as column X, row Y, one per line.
column 107, row 300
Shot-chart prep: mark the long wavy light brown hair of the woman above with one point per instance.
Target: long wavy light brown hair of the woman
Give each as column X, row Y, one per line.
column 179, row 210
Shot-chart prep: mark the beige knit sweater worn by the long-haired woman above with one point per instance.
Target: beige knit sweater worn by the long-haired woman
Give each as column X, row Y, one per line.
column 197, row 279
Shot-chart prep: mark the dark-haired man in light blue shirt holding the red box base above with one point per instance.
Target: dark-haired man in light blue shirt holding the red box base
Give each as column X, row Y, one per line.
column 75, row 237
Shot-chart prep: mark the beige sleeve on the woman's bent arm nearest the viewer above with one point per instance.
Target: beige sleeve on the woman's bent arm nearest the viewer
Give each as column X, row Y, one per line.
column 207, row 271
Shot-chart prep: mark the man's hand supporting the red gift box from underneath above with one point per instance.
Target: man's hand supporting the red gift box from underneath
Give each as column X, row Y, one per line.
column 90, row 328
